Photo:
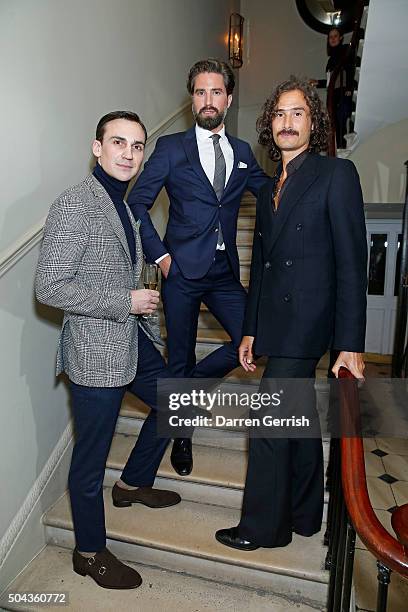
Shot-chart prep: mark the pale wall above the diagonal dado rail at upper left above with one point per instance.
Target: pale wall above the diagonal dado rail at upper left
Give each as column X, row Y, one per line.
column 64, row 64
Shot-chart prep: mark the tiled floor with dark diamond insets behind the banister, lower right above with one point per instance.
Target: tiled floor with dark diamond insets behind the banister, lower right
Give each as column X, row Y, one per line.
column 387, row 478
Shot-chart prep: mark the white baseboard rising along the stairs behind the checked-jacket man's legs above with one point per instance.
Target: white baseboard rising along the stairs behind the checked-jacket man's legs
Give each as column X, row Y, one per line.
column 25, row 537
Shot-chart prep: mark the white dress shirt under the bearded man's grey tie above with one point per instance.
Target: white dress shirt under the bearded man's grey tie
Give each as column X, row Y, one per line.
column 207, row 159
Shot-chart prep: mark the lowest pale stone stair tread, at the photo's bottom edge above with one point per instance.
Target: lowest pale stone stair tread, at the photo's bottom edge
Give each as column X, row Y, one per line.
column 160, row 590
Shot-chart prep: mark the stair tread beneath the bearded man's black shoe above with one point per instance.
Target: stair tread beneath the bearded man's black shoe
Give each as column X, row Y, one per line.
column 213, row 466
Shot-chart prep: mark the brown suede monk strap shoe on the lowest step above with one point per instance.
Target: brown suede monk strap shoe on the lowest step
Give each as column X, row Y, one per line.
column 106, row 569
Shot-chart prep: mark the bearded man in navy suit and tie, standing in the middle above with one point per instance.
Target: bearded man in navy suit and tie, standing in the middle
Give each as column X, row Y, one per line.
column 205, row 172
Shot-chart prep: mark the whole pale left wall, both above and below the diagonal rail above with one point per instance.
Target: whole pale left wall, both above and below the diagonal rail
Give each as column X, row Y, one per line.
column 62, row 65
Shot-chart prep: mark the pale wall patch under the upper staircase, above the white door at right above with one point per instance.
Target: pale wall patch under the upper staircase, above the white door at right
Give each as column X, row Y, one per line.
column 380, row 163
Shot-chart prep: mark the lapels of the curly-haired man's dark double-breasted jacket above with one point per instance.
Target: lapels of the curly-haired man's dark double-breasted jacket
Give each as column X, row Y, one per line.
column 299, row 184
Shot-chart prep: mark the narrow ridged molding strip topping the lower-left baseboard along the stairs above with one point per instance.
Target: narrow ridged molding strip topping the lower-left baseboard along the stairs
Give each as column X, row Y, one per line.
column 17, row 524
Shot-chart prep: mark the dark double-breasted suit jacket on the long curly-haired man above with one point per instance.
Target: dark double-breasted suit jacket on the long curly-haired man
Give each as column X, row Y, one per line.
column 308, row 280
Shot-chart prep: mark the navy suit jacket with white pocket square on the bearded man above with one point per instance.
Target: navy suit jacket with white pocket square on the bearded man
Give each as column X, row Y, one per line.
column 194, row 213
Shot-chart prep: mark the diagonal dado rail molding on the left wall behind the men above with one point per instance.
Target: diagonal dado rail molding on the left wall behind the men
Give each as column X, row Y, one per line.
column 23, row 245
